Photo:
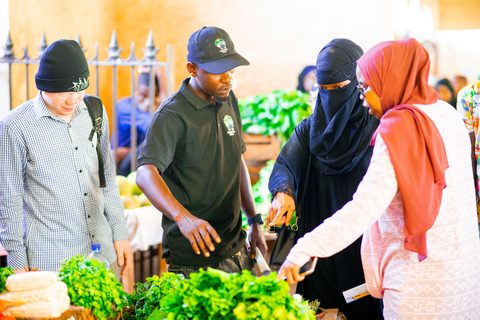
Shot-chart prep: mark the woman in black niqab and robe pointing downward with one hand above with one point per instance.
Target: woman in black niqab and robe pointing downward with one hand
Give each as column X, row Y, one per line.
column 321, row 166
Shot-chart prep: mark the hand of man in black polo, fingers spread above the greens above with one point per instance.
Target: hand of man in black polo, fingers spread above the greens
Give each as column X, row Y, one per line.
column 198, row 232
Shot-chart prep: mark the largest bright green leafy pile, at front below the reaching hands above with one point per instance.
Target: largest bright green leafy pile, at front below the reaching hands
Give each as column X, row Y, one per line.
column 218, row 295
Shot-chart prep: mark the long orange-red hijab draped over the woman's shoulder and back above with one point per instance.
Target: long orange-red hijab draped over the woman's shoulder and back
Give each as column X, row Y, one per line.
column 397, row 71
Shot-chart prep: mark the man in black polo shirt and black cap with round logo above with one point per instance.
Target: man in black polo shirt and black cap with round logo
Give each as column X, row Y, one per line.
column 191, row 166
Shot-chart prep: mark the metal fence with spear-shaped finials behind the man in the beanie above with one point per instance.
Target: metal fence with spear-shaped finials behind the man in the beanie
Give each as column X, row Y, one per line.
column 113, row 60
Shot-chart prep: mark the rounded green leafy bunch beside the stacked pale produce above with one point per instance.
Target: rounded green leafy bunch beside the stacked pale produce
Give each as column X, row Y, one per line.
column 92, row 286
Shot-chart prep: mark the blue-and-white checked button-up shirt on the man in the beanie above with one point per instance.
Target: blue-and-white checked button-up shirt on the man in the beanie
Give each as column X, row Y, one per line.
column 51, row 203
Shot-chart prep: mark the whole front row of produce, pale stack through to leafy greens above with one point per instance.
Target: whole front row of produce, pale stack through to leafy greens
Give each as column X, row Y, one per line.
column 94, row 292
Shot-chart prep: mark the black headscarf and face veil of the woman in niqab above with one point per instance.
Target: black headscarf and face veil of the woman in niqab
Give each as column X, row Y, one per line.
column 342, row 127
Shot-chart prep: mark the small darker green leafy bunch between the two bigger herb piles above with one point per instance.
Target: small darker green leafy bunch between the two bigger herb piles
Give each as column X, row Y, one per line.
column 147, row 296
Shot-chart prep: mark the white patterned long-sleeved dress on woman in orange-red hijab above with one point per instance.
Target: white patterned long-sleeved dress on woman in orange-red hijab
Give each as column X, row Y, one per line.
column 446, row 285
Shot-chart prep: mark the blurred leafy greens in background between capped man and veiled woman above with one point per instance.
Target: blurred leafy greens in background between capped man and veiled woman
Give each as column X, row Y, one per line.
column 272, row 113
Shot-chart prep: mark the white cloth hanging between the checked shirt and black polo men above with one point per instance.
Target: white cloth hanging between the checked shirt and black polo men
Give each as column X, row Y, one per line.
column 144, row 227
